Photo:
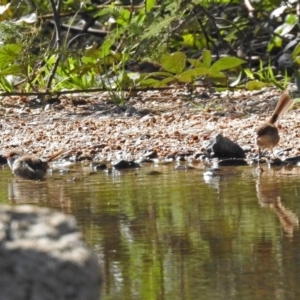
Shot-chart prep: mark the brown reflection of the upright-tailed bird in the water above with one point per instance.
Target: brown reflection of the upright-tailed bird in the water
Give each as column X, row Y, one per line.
column 268, row 193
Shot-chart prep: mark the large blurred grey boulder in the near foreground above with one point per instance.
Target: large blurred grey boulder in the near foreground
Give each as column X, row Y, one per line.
column 42, row 256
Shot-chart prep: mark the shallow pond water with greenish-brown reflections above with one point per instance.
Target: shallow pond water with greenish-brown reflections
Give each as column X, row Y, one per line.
column 180, row 235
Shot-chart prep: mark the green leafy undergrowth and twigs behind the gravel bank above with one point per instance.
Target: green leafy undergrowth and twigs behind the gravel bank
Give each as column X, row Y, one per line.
column 233, row 36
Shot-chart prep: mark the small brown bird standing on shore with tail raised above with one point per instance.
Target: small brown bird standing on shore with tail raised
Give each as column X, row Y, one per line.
column 267, row 133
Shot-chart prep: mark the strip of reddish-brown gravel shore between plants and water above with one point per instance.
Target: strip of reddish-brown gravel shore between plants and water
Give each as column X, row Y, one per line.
column 167, row 123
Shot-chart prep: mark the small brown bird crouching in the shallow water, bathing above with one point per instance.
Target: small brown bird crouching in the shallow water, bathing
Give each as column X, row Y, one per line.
column 28, row 166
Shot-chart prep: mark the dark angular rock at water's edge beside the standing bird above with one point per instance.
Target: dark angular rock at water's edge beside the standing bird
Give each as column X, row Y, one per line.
column 222, row 147
